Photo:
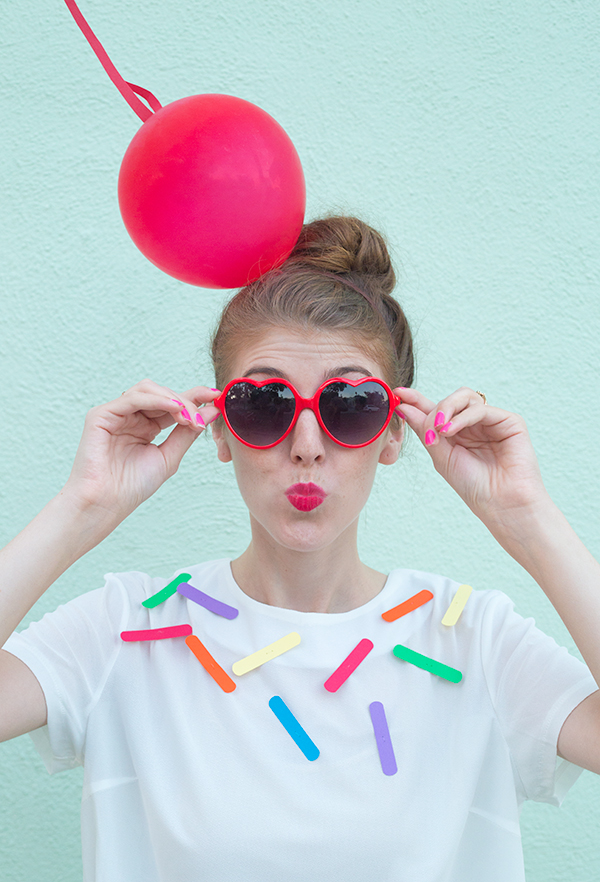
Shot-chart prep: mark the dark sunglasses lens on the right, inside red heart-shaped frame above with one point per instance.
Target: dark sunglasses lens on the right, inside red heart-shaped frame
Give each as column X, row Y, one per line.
column 354, row 414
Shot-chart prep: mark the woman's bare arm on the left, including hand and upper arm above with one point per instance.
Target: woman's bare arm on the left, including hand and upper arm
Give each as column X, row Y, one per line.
column 117, row 467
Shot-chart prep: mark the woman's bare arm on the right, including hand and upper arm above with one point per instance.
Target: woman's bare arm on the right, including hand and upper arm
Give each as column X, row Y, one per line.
column 486, row 455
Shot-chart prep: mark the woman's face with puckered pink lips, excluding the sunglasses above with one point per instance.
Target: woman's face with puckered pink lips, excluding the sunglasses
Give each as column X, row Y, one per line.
column 307, row 455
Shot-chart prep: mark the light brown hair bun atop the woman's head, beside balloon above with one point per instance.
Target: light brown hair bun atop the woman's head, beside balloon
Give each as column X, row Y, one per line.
column 345, row 245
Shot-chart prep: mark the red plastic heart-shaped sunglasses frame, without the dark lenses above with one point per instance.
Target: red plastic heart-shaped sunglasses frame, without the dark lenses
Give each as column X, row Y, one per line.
column 307, row 403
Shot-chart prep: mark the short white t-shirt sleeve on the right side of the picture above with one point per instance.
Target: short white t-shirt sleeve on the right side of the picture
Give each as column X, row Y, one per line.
column 534, row 685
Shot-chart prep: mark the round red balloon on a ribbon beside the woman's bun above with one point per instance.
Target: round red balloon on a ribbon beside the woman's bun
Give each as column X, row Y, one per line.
column 211, row 190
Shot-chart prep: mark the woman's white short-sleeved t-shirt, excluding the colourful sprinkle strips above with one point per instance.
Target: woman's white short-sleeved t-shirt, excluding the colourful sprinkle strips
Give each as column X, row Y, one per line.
column 187, row 783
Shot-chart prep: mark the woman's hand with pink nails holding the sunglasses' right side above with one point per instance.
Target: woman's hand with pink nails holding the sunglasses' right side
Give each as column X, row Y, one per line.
column 483, row 452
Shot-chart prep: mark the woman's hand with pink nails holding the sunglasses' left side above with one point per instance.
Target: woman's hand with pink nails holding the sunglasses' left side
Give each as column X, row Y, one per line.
column 117, row 466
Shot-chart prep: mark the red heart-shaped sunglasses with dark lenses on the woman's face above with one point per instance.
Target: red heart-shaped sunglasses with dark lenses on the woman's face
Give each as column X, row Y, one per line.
column 352, row 412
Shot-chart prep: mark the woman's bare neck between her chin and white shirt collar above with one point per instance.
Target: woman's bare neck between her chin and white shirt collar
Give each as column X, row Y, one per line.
column 328, row 580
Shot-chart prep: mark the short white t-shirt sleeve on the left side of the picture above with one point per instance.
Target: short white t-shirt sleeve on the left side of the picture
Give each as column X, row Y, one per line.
column 72, row 651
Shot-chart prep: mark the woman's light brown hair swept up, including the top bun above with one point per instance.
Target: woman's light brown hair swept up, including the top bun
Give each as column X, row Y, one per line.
column 339, row 277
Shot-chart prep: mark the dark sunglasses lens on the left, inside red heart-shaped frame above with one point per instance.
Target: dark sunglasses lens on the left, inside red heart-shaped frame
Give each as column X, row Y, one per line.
column 260, row 415
